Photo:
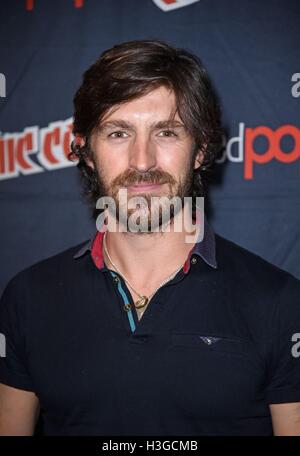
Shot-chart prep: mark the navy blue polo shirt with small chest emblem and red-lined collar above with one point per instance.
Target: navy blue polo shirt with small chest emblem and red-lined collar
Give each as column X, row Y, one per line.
column 216, row 345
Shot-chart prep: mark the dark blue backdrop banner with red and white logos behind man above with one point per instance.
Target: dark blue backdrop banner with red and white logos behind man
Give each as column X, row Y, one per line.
column 251, row 50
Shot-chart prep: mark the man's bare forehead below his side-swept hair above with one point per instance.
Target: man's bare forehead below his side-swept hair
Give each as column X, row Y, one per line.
column 159, row 102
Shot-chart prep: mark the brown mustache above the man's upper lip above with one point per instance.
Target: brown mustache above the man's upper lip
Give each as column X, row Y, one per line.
column 149, row 177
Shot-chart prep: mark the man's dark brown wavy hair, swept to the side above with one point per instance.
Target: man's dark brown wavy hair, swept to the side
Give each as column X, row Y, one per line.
column 132, row 69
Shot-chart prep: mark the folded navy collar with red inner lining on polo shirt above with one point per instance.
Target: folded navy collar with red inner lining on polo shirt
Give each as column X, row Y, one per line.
column 206, row 248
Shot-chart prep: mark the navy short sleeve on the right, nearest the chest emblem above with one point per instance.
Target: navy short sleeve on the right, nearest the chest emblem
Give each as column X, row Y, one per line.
column 284, row 375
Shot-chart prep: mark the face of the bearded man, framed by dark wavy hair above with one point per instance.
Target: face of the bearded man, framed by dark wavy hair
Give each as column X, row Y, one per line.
column 138, row 148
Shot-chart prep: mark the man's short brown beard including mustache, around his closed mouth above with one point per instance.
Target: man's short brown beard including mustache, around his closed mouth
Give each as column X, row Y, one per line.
column 148, row 211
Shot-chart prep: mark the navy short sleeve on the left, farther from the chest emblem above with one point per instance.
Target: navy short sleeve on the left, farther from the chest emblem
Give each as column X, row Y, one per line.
column 13, row 368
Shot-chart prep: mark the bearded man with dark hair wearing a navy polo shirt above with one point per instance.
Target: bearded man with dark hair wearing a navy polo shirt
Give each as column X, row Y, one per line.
column 141, row 332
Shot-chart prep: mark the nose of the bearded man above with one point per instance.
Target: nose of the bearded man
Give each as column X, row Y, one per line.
column 142, row 155
